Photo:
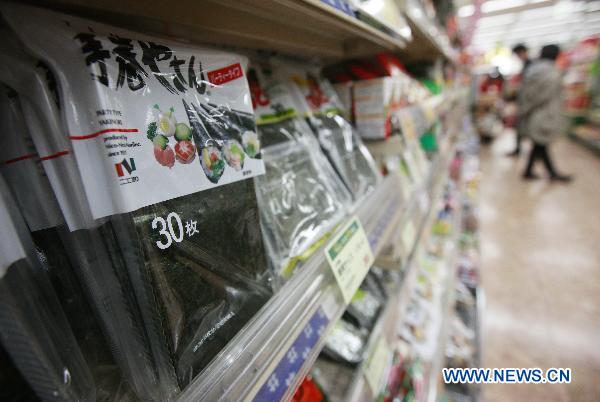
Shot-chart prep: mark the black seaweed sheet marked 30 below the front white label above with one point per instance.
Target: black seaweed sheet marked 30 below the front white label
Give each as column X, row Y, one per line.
column 211, row 283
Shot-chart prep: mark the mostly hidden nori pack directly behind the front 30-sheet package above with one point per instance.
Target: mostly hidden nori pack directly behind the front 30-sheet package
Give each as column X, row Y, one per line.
column 97, row 257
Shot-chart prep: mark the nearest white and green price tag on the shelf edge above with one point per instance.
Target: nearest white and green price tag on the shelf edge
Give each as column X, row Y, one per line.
column 350, row 257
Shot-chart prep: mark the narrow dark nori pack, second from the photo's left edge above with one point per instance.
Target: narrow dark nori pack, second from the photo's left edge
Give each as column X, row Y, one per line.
column 29, row 185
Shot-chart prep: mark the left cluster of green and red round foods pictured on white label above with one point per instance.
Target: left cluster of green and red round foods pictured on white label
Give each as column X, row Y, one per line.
column 164, row 127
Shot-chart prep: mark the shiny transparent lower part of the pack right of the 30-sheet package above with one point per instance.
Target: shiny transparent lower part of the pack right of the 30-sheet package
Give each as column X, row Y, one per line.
column 300, row 202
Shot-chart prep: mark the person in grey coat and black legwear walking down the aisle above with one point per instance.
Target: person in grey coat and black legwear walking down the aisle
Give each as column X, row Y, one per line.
column 542, row 108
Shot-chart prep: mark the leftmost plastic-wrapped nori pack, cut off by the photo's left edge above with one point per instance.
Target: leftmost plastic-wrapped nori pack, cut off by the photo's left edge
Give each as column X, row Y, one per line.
column 33, row 326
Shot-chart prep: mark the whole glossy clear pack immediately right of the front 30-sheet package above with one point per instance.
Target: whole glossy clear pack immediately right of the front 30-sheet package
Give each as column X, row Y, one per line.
column 301, row 197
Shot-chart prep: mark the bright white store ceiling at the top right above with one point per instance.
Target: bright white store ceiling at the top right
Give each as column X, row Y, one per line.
column 533, row 22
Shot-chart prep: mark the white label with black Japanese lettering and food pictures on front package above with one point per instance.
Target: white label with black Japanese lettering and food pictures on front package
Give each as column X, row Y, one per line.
column 148, row 119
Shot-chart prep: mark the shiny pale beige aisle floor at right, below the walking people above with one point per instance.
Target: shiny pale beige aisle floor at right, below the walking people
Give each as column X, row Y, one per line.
column 541, row 272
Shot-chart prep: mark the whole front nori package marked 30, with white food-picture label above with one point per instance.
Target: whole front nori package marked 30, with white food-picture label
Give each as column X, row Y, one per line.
column 158, row 162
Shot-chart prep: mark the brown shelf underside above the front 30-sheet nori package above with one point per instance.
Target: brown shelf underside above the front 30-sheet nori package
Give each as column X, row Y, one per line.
column 297, row 27
